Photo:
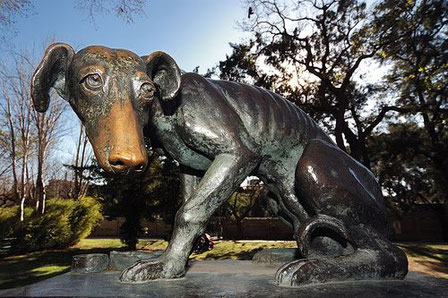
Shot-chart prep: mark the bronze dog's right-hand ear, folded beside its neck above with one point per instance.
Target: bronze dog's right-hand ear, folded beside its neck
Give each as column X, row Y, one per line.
column 164, row 72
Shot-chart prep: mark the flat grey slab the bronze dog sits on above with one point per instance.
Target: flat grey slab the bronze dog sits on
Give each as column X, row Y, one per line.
column 228, row 278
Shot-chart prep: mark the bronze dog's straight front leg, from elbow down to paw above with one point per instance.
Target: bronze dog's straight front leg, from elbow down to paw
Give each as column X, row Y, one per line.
column 225, row 174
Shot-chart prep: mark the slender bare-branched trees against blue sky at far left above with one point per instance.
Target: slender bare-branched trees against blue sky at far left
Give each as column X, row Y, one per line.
column 28, row 138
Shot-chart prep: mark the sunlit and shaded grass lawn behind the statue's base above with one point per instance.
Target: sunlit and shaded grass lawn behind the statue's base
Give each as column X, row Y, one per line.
column 21, row 270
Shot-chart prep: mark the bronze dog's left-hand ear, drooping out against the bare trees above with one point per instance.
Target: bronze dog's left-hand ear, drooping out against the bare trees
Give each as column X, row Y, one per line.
column 51, row 73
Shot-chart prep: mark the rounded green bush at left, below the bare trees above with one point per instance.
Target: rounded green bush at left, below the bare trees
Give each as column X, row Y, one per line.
column 63, row 224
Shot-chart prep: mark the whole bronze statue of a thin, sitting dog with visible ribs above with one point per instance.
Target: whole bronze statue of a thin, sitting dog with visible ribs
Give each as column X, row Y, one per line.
column 221, row 132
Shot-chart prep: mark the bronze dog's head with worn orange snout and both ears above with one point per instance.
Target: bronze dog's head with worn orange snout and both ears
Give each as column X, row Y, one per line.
column 111, row 90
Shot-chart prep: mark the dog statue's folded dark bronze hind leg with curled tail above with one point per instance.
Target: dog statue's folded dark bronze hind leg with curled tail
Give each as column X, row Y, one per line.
column 346, row 236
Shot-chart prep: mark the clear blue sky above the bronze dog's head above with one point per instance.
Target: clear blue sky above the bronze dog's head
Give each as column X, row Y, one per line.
column 193, row 32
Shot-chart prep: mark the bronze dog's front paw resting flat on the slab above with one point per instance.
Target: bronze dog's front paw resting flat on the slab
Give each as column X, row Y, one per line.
column 143, row 271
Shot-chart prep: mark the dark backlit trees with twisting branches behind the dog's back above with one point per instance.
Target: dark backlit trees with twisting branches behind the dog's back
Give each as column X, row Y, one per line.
column 313, row 52
